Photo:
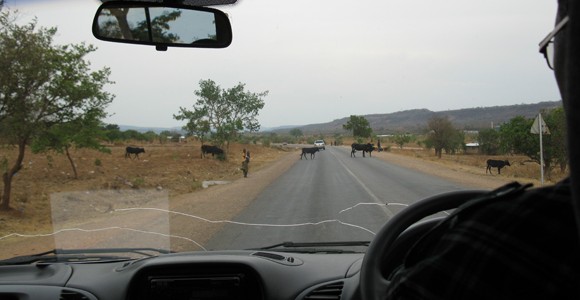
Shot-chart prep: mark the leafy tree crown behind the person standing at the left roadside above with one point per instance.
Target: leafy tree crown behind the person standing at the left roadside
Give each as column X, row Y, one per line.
column 225, row 112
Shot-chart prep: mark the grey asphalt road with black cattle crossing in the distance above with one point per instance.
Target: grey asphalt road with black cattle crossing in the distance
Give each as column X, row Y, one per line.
column 332, row 197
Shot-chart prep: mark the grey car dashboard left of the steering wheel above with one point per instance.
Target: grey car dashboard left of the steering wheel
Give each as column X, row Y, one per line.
column 212, row 275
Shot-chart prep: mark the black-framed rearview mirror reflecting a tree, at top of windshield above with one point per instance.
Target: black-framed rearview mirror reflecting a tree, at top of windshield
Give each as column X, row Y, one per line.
column 162, row 25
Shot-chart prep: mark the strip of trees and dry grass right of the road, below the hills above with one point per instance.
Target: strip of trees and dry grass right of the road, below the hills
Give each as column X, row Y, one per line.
column 443, row 141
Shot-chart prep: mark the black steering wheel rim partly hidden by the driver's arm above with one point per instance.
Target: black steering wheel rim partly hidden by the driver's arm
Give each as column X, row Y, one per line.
column 373, row 284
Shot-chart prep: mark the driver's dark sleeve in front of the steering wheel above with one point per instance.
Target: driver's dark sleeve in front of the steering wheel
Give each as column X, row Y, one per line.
column 522, row 247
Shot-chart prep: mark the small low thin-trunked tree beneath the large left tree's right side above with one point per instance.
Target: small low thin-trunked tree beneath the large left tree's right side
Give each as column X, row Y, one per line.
column 83, row 132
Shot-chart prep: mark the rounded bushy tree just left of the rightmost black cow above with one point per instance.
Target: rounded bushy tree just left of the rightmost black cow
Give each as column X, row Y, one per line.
column 443, row 136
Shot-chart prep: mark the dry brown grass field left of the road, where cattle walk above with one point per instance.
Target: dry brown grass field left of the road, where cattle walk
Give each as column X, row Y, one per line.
column 176, row 168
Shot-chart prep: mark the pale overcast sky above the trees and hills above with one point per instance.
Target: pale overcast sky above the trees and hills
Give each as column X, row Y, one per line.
column 328, row 59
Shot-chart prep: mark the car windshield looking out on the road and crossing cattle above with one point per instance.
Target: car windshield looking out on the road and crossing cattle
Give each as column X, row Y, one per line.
column 123, row 146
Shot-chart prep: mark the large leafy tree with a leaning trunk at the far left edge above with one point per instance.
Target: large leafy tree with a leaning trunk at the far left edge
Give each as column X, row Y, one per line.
column 41, row 86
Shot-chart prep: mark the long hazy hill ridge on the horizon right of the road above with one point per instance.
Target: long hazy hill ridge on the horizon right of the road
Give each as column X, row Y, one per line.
column 415, row 120
